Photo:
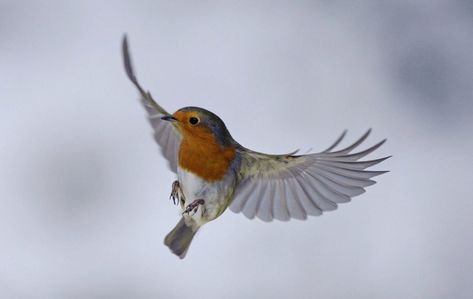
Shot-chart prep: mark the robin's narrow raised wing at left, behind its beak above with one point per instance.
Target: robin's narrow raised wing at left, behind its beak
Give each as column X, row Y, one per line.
column 165, row 133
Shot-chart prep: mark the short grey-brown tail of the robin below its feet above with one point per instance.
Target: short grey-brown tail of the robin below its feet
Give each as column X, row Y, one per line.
column 180, row 238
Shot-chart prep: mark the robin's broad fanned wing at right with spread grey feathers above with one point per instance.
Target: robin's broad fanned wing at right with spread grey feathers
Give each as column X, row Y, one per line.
column 289, row 186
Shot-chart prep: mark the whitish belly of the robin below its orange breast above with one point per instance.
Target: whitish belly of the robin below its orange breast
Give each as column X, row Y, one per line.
column 215, row 195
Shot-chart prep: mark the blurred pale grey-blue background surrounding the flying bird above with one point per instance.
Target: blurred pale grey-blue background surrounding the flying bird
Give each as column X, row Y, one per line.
column 84, row 190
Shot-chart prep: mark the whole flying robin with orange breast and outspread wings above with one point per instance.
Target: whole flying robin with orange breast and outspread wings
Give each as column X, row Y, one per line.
column 215, row 172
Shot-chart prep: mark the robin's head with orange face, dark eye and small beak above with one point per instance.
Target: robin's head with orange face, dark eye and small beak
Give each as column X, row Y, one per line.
column 195, row 122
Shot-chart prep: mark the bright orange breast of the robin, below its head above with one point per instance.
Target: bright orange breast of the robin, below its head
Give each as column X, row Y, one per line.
column 204, row 157
